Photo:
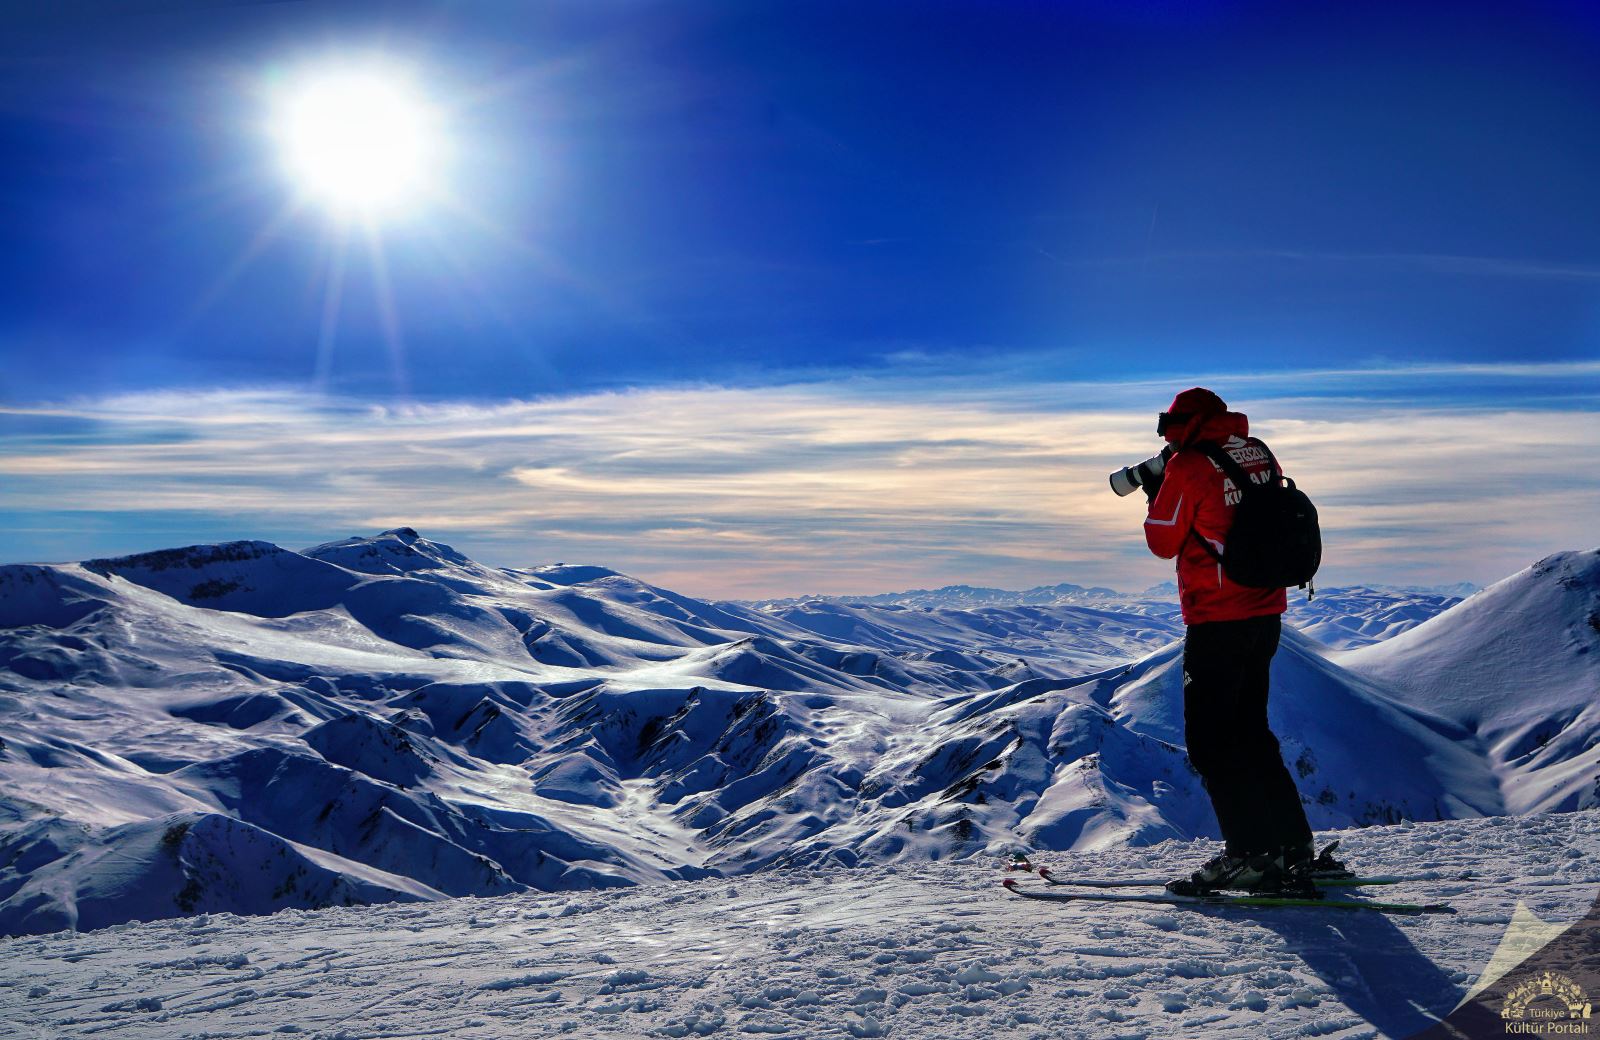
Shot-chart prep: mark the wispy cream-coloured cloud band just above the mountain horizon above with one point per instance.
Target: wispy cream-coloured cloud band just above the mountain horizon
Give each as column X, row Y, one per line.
column 833, row 487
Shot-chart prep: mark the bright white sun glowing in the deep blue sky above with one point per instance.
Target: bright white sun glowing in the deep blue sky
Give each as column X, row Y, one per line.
column 362, row 142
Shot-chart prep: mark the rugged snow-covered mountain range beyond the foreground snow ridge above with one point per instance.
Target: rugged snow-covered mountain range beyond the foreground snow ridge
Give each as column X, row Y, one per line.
column 246, row 729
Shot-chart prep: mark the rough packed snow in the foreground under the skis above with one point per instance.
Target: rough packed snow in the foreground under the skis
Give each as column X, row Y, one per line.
column 930, row 951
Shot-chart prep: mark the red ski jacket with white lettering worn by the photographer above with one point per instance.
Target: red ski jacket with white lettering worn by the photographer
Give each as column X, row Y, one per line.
column 1198, row 502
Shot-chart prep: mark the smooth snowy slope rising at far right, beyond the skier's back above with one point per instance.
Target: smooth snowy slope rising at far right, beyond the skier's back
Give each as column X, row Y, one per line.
column 1519, row 668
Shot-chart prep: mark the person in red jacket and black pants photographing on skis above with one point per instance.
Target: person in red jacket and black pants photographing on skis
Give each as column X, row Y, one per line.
column 1233, row 633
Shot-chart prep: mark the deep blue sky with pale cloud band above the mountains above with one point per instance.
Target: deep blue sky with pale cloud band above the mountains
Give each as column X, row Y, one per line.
column 666, row 222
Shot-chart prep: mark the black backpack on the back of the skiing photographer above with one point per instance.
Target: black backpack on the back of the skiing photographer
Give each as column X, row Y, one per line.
column 1274, row 542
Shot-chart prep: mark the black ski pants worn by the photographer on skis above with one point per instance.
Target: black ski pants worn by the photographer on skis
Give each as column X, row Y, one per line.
column 1226, row 676
